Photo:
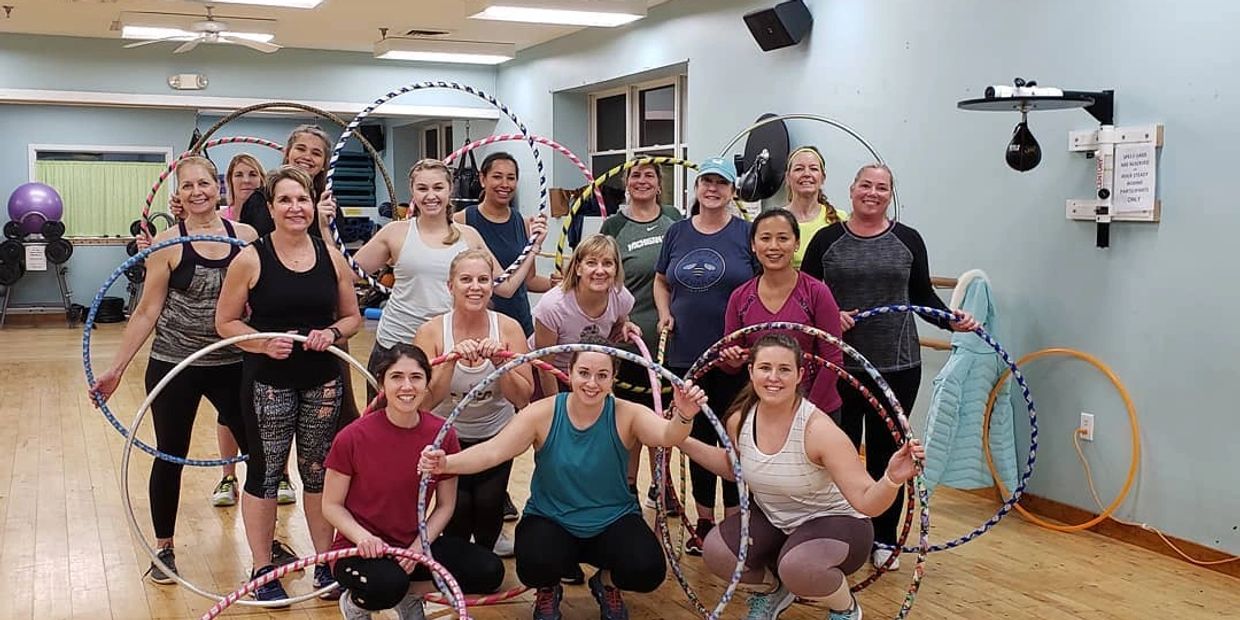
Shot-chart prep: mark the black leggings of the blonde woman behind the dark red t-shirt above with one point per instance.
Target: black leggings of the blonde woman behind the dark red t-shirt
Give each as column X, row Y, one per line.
column 480, row 497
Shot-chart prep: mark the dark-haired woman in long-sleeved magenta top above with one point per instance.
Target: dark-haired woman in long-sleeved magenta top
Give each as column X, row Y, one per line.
column 781, row 293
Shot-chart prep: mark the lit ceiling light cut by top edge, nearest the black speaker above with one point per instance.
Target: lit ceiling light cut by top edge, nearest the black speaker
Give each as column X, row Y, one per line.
column 566, row 13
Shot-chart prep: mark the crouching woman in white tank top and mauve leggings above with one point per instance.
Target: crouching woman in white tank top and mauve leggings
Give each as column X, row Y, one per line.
column 812, row 493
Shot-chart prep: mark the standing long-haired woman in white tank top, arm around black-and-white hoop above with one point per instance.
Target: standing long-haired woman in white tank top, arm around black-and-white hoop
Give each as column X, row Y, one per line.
column 420, row 251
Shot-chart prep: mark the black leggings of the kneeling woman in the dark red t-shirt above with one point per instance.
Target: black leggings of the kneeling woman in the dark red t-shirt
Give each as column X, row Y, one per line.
column 381, row 583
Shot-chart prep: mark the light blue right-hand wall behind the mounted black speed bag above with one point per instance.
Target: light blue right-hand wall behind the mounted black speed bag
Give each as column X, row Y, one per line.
column 1153, row 306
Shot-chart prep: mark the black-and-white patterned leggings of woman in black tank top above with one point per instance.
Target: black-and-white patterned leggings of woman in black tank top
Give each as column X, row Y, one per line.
column 280, row 416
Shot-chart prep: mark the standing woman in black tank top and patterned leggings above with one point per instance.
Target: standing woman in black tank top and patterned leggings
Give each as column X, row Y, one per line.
column 292, row 283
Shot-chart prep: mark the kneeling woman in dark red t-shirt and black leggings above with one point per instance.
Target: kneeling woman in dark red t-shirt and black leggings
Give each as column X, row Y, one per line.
column 371, row 498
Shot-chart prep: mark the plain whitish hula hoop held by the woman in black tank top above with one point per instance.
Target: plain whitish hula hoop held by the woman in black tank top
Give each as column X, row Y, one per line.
column 131, row 441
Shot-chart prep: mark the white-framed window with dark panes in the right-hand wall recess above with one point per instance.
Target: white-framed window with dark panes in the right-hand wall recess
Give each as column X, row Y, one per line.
column 635, row 121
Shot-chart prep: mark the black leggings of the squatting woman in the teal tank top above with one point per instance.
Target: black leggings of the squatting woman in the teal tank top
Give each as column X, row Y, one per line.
column 628, row 549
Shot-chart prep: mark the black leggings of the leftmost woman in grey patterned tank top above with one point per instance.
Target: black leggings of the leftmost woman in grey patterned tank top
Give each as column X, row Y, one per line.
column 173, row 414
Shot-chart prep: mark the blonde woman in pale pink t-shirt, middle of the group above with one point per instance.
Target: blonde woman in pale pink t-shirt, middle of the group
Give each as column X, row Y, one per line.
column 591, row 302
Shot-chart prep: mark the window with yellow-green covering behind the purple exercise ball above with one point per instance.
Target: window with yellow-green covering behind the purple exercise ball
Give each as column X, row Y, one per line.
column 104, row 189
